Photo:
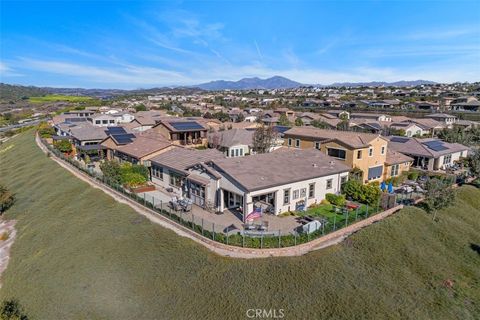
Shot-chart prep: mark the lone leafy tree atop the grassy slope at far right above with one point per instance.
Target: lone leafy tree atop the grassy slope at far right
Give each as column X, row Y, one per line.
column 439, row 194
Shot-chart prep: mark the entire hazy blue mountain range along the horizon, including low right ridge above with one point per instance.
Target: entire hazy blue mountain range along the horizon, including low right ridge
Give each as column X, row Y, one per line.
column 278, row 82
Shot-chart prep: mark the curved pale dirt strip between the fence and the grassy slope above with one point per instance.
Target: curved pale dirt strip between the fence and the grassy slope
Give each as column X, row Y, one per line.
column 219, row 248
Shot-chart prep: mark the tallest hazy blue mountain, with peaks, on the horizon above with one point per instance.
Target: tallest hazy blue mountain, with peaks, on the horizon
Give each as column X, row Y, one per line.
column 275, row 82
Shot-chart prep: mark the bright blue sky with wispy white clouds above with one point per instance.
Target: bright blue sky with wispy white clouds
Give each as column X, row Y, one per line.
column 127, row 44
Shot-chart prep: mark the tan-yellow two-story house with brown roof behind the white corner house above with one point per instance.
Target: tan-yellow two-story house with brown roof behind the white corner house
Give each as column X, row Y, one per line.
column 364, row 151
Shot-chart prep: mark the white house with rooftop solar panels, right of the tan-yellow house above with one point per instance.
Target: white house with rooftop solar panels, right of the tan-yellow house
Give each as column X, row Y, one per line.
column 428, row 154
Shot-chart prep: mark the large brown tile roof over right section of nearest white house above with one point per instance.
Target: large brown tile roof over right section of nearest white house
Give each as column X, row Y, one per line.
column 262, row 171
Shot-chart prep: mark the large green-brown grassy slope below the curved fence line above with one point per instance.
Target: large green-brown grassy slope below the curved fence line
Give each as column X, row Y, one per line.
column 81, row 255
